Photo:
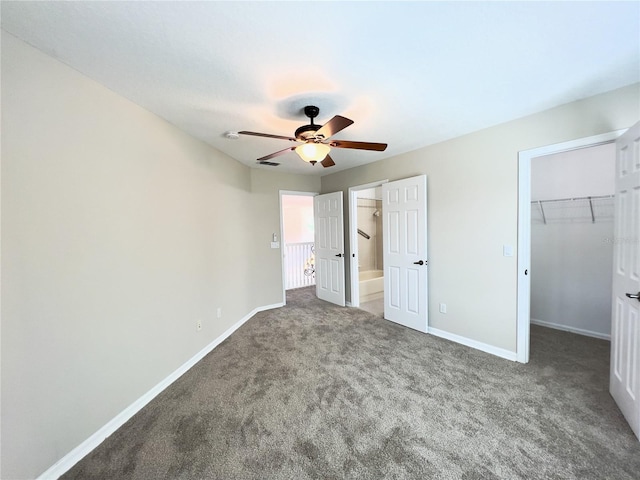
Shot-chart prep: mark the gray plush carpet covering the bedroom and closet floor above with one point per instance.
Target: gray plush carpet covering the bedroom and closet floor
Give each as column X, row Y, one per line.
column 315, row 391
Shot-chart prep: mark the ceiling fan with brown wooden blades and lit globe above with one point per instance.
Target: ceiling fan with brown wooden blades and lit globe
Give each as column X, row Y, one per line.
column 314, row 140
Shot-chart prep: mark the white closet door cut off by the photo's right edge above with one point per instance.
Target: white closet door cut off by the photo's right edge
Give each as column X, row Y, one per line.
column 625, row 325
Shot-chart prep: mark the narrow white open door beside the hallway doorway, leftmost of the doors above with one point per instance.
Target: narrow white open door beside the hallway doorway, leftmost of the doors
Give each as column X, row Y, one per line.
column 329, row 238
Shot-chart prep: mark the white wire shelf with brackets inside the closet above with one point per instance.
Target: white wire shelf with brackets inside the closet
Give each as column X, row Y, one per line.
column 577, row 209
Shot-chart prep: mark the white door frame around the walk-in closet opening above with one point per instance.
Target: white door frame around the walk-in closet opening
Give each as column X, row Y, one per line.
column 524, row 228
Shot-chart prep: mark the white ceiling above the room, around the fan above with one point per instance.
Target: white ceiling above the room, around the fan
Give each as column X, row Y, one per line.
column 409, row 74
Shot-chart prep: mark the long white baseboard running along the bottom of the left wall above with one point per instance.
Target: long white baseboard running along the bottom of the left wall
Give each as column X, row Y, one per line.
column 74, row 456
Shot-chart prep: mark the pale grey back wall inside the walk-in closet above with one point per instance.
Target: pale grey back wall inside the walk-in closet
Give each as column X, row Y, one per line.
column 572, row 240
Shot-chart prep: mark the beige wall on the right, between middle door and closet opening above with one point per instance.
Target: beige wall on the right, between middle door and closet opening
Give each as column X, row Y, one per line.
column 472, row 195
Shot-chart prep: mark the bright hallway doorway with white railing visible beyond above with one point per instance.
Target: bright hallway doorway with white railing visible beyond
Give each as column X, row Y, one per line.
column 297, row 231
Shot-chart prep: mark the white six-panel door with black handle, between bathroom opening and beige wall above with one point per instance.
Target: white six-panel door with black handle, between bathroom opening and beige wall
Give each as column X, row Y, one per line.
column 404, row 226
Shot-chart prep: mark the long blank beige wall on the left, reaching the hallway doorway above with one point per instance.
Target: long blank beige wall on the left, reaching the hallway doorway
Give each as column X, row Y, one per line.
column 119, row 232
